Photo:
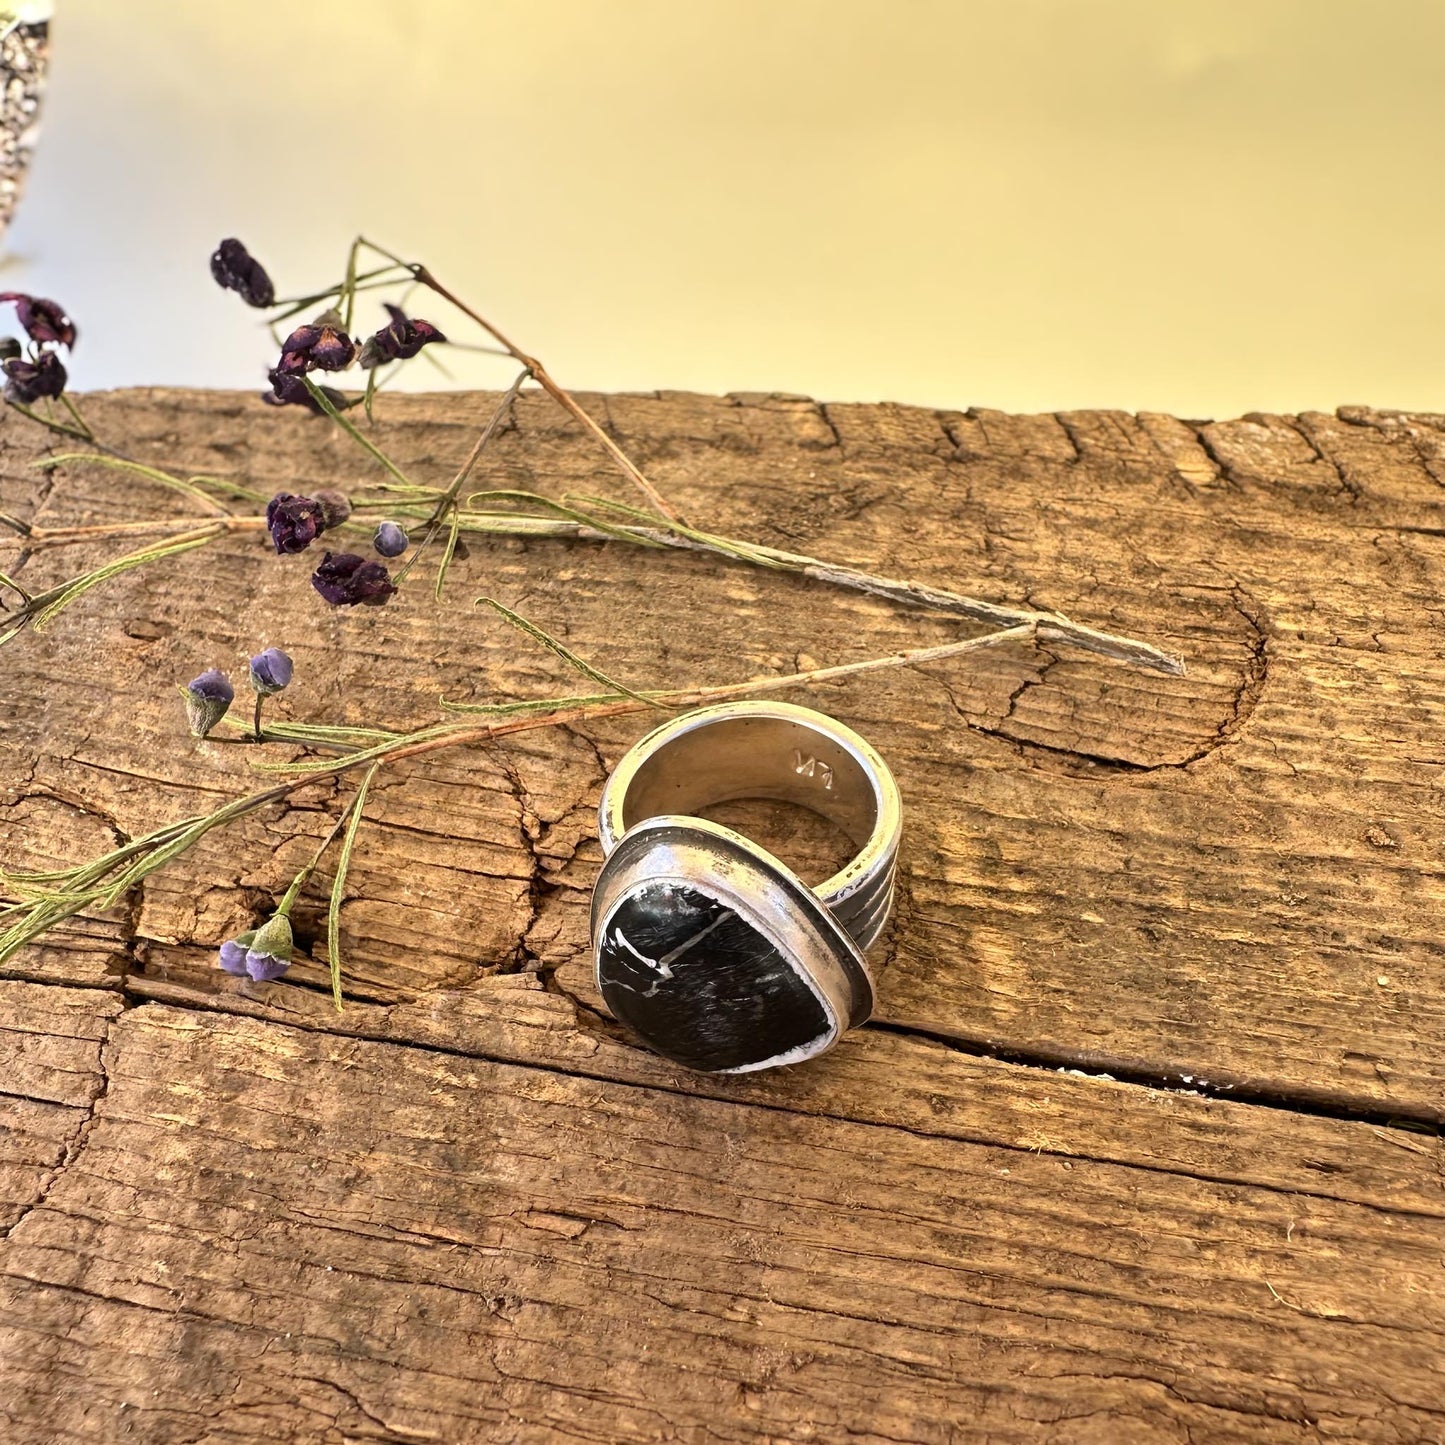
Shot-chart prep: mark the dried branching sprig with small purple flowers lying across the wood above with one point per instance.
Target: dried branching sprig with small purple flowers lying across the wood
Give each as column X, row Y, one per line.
column 413, row 512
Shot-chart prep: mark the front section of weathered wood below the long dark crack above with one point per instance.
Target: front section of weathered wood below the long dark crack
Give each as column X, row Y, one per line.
column 275, row 1233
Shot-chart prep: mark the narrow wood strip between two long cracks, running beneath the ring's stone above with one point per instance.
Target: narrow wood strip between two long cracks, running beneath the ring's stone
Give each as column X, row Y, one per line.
column 901, row 1082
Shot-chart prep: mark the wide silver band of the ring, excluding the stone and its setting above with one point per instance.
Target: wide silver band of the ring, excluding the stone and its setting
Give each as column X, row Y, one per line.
column 771, row 751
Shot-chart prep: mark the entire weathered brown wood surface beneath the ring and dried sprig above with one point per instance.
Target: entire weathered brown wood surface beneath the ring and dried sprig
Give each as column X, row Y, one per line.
column 466, row 1209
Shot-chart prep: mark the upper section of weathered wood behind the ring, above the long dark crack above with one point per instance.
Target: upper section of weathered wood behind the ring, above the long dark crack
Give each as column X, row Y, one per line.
column 1233, row 876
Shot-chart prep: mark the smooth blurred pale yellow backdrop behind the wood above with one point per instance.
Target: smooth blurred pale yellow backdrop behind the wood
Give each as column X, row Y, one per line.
column 1037, row 204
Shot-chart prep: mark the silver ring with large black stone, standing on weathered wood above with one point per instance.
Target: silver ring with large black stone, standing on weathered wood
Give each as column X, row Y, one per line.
column 707, row 947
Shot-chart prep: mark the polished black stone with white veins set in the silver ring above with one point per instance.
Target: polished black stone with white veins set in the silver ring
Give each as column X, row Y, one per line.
column 700, row 985
